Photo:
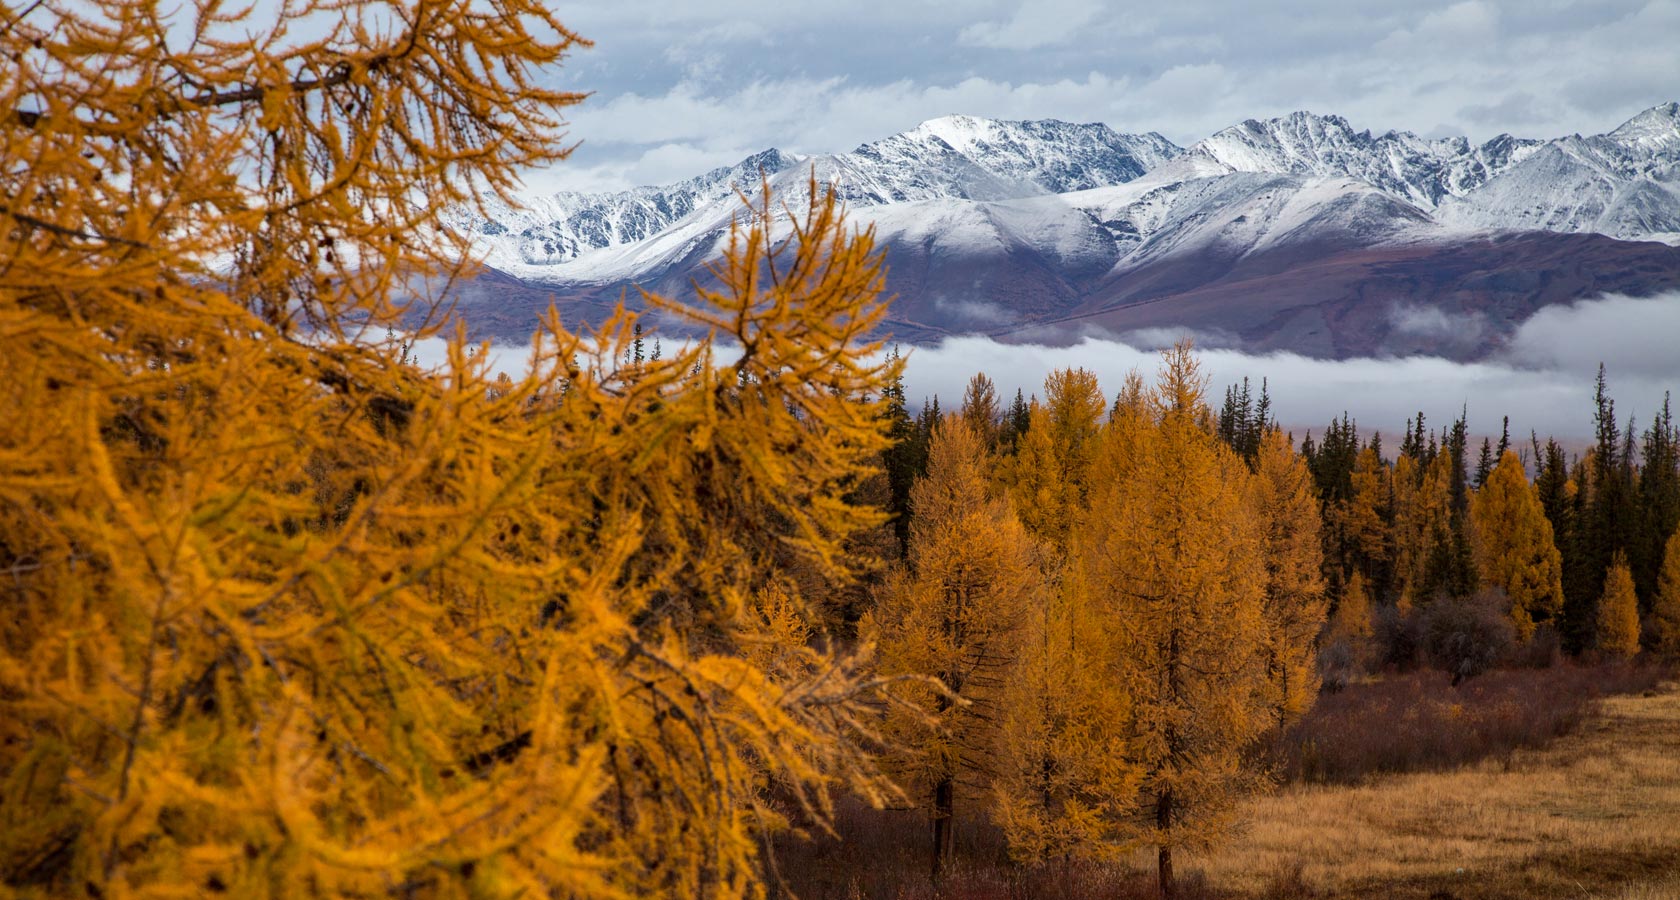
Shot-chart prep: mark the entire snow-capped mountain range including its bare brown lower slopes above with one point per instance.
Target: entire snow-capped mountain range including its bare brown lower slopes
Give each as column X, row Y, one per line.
column 1041, row 228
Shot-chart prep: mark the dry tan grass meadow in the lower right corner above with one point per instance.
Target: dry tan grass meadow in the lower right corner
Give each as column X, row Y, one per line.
column 1595, row 815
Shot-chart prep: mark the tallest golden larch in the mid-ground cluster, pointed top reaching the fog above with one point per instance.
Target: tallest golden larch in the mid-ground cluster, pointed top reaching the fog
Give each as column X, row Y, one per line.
column 1173, row 548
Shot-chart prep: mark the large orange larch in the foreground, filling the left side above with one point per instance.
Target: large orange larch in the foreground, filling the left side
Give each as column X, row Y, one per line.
column 290, row 617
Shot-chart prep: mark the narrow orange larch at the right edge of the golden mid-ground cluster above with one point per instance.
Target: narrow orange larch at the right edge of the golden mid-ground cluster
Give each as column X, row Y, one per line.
column 1288, row 506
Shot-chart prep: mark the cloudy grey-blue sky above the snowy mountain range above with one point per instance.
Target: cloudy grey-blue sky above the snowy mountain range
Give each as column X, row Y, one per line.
column 685, row 86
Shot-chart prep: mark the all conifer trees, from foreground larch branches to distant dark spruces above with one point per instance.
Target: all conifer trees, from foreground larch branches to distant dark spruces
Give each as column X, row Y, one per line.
column 291, row 615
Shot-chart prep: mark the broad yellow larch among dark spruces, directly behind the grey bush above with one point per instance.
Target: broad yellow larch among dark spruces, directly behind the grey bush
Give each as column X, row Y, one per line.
column 1515, row 547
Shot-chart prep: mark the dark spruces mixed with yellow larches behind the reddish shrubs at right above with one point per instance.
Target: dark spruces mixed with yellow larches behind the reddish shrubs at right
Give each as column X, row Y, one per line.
column 1573, row 557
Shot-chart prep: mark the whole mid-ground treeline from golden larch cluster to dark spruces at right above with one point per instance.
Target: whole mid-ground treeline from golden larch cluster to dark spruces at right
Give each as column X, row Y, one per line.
column 1118, row 599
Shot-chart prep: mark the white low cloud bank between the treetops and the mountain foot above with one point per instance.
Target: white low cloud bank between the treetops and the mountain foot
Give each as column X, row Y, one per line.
column 1543, row 379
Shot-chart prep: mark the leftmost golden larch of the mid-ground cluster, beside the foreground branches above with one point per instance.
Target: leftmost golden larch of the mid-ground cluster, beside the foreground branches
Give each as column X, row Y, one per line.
column 958, row 617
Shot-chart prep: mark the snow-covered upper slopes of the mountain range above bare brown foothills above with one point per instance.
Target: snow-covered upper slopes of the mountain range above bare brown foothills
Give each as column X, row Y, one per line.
column 1137, row 194
